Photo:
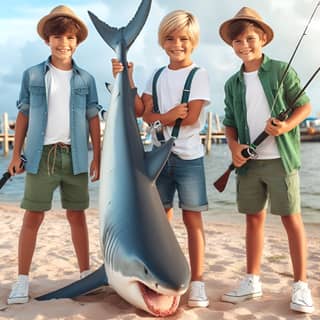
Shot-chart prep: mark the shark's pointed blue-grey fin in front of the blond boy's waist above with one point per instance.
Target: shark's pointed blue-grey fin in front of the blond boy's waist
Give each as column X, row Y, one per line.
column 156, row 159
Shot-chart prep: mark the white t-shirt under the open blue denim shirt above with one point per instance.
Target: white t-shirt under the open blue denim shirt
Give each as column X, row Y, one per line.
column 58, row 93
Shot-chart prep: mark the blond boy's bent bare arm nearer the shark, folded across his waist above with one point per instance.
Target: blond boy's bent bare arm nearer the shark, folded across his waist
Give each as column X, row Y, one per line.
column 168, row 118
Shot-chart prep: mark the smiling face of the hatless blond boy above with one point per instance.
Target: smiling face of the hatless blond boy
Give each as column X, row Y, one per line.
column 178, row 47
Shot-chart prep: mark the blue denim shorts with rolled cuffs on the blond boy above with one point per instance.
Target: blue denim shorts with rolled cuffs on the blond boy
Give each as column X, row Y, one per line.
column 187, row 177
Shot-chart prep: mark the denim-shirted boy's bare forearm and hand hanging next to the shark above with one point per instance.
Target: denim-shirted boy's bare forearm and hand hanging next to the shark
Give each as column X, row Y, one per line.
column 94, row 129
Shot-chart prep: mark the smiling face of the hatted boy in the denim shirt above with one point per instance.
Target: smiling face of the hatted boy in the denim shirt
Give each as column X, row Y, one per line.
column 62, row 47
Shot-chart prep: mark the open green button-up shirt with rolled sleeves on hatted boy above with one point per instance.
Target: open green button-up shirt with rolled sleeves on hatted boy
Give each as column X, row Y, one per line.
column 270, row 74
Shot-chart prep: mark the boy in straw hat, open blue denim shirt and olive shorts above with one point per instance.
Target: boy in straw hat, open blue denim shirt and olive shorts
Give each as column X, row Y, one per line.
column 58, row 108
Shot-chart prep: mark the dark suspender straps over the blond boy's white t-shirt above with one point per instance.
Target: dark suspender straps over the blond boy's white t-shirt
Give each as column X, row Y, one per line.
column 184, row 99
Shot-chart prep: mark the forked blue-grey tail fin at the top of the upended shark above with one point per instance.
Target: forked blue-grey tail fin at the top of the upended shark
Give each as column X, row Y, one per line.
column 113, row 36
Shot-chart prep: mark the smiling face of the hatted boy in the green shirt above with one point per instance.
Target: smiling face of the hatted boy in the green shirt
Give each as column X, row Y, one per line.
column 248, row 46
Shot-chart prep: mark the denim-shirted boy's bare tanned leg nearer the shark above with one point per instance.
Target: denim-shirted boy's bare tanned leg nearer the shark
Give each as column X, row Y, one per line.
column 79, row 235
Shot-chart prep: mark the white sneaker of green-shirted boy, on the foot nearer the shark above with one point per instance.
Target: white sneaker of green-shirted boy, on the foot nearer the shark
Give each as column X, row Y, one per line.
column 249, row 288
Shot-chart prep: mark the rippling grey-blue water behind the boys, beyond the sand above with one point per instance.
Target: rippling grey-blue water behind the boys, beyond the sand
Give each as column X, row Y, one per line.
column 222, row 206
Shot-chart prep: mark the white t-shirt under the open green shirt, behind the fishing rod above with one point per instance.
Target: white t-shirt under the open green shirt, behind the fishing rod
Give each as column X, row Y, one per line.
column 258, row 112
